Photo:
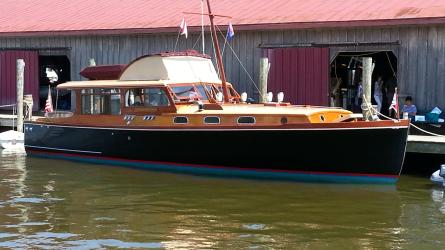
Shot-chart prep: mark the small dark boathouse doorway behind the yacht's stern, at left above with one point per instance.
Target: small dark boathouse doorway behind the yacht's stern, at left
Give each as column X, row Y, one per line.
column 54, row 70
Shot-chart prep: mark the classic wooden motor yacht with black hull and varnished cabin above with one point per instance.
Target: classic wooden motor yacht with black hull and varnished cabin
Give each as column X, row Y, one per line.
column 173, row 112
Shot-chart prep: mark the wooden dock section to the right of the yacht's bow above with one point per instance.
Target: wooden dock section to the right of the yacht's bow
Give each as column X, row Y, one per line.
column 426, row 144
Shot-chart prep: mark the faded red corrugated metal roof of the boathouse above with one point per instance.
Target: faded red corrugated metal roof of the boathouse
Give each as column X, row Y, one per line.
column 119, row 16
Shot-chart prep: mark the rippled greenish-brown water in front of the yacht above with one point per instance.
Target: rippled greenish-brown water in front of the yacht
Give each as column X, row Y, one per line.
column 53, row 204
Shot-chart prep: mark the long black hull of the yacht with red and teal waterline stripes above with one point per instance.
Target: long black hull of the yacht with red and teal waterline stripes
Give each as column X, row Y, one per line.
column 327, row 155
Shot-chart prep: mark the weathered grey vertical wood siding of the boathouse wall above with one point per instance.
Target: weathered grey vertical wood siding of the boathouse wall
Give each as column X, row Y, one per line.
column 421, row 53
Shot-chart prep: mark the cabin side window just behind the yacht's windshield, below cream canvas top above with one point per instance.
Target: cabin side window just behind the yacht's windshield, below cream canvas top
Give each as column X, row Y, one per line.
column 148, row 97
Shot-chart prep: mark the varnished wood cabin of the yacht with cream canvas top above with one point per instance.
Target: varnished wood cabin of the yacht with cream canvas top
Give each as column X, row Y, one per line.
column 179, row 89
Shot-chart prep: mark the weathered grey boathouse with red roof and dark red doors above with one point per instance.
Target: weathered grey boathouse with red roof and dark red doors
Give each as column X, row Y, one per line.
column 310, row 44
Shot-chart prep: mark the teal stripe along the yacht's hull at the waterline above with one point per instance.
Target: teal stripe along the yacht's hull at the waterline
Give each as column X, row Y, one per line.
column 226, row 172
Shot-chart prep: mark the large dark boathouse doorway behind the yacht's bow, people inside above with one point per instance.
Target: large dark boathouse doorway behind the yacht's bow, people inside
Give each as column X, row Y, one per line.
column 346, row 77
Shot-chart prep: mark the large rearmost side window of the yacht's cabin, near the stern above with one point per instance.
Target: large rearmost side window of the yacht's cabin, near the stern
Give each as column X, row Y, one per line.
column 101, row 101
